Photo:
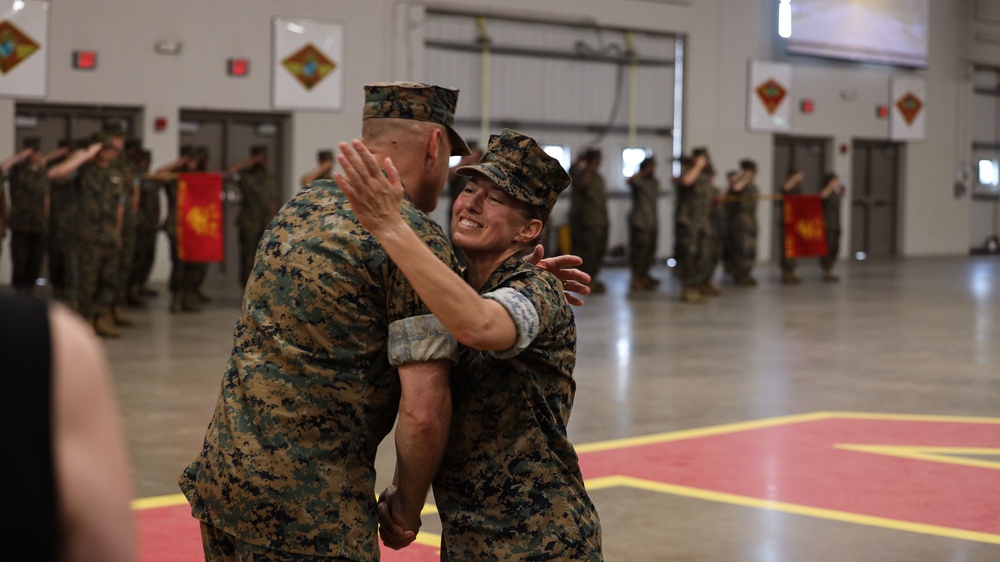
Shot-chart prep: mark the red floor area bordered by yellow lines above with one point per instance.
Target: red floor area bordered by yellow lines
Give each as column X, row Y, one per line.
column 792, row 463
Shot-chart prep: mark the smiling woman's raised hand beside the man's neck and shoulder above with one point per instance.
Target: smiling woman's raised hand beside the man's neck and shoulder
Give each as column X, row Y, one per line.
column 375, row 197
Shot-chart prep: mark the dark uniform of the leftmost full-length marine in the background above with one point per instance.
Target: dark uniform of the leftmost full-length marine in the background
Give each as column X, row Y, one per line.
column 28, row 223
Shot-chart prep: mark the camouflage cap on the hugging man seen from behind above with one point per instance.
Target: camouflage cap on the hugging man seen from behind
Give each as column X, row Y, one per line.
column 420, row 102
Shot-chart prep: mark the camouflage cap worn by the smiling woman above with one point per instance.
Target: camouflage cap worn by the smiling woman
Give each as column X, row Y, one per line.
column 521, row 169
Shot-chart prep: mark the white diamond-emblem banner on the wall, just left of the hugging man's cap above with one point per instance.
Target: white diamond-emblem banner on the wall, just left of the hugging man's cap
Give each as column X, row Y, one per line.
column 307, row 67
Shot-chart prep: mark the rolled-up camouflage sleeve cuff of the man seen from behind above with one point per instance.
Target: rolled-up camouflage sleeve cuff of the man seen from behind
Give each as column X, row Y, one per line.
column 420, row 338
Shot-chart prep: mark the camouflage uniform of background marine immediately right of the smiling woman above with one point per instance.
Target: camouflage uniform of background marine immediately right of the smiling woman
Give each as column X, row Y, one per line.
column 588, row 221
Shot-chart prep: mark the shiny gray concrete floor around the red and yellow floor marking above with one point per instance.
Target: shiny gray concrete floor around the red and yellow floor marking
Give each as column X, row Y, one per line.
column 912, row 337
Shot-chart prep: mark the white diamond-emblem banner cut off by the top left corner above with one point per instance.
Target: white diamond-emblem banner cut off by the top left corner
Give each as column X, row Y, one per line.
column 24, row 49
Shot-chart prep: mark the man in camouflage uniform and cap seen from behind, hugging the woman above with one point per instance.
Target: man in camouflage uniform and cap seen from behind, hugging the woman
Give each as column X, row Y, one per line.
column 331, row 343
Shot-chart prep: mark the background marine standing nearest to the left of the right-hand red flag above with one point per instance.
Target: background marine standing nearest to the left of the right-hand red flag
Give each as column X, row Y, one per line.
column 741, row 224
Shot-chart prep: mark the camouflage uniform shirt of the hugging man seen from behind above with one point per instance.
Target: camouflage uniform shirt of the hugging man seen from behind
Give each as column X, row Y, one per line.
column 311, row 389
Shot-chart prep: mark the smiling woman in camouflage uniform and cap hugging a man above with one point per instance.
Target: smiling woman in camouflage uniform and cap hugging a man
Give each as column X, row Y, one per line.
column 509, row 486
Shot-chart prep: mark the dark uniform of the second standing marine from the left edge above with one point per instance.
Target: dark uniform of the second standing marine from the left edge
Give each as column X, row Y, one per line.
column 64, row 241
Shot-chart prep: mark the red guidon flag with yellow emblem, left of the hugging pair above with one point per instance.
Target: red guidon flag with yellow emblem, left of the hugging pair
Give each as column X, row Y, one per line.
column 199, row 217
